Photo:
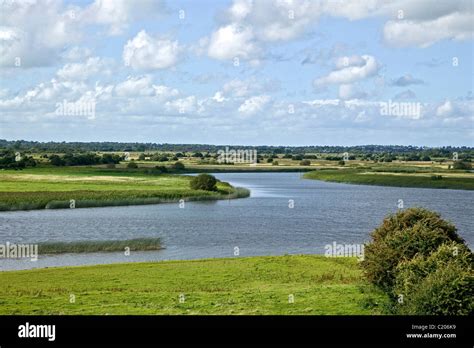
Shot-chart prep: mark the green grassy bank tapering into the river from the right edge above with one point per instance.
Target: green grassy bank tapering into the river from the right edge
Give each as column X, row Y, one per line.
column 442, row 180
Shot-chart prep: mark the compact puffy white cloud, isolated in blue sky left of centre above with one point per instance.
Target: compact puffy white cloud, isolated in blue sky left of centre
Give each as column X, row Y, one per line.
column 150, row 53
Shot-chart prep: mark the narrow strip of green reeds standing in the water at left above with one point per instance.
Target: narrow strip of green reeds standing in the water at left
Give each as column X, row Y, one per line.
column 138, row 244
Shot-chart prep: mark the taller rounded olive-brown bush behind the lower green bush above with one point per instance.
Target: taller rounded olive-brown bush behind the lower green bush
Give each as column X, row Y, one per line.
column 400, row 237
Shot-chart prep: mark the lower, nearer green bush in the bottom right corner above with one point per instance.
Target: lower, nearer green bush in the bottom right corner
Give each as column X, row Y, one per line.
column 439, row 284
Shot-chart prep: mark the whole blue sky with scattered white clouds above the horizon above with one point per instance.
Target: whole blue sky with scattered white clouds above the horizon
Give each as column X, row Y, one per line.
column 248, row 72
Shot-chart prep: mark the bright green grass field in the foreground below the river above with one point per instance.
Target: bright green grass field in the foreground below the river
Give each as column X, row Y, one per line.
column 253, row 285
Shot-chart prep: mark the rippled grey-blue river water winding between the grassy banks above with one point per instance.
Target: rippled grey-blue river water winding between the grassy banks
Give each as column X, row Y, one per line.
column 263, row 224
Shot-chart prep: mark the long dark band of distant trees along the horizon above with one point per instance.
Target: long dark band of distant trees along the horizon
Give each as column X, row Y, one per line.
column 64, row 147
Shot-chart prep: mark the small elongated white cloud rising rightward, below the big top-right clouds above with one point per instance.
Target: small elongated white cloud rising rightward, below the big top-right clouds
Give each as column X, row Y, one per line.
column 350, row 74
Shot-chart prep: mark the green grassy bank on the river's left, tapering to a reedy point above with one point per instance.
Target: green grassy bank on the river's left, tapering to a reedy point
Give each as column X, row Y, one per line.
column 43, row 188
